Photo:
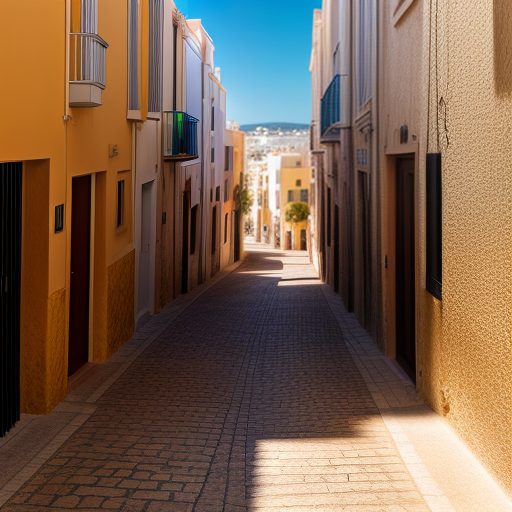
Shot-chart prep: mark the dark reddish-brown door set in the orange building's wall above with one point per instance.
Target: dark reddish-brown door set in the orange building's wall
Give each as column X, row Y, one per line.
column 78, row 353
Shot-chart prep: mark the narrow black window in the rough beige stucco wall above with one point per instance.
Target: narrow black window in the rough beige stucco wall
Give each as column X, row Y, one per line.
column 434, row 226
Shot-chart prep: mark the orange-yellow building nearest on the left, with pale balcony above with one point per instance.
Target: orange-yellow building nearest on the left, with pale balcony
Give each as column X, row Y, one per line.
column 65, row 134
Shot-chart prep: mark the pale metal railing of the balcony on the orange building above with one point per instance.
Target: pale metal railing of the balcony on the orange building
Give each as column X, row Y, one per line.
column 87, row 59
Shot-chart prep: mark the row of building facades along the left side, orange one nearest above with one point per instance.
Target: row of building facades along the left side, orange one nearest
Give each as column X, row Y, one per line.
column 106, row 191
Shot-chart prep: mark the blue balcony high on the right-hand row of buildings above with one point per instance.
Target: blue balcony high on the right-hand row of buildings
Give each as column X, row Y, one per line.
column 334, row 110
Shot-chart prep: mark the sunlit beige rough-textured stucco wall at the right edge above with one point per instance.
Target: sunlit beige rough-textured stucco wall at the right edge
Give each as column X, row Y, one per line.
column 475, row 355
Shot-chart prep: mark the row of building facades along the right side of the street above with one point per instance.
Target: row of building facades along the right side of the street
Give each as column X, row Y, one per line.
column 428, row 194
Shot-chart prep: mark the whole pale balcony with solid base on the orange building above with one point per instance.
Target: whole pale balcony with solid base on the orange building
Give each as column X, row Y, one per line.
column 87, row 69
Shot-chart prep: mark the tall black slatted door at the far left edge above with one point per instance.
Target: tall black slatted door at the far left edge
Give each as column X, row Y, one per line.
column 10, row 292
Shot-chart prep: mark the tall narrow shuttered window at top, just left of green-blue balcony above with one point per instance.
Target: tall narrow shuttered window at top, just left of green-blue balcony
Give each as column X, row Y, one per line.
column 156, row 8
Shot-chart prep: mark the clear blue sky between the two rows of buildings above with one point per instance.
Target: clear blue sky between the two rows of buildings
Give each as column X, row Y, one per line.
column 263, row 49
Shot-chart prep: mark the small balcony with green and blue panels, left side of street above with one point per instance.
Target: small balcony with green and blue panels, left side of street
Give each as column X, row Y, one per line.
column 179, row 136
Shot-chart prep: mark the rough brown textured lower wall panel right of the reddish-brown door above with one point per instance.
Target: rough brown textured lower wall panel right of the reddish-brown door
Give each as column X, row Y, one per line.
column 120, row 302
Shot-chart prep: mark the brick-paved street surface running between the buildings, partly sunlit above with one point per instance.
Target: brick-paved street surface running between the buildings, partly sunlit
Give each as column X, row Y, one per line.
column 249, row 400
